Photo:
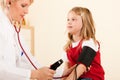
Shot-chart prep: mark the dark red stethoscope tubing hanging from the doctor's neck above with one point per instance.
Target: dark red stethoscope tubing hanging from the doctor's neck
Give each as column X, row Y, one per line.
column 24, row 52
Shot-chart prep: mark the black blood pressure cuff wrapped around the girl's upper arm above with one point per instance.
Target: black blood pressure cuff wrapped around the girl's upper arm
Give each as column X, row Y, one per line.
column 86, row 56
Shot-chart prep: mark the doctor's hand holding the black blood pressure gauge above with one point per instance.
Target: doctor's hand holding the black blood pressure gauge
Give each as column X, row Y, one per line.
column 43, row 73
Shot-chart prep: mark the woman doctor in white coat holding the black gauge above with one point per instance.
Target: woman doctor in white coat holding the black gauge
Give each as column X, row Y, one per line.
column 14, row 65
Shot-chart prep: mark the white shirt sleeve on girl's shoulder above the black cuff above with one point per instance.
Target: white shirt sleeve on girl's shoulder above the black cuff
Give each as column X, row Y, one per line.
column 91, row 43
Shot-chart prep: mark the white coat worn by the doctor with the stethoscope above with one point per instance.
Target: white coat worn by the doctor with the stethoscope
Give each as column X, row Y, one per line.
column 13, row 66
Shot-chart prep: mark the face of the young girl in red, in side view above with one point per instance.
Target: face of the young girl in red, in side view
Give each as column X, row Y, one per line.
column 74, row 23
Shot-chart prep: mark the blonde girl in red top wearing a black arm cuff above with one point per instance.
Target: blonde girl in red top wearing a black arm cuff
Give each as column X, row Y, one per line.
column 82, row 49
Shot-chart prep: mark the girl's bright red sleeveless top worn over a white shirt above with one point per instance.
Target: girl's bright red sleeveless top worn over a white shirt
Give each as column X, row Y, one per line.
column 96, row 71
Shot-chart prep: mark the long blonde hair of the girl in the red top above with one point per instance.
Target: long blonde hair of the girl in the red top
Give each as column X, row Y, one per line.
column 88, row 28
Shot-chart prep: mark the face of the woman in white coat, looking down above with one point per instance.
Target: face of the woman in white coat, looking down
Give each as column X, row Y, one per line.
column 18, row 9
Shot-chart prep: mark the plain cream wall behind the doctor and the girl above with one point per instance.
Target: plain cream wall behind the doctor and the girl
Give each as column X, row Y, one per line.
column 49, row 19
